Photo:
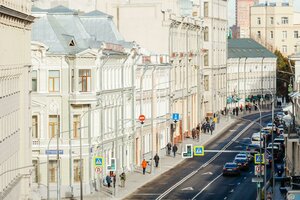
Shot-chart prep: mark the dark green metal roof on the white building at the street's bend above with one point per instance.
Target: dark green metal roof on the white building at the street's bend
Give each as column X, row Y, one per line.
column 247, row 48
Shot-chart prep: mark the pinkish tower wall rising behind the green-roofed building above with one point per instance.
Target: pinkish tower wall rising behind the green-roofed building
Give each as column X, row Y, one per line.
column 243, row 16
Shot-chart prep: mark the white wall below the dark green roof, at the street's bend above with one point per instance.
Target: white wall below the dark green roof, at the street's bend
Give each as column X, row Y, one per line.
column 251, row 76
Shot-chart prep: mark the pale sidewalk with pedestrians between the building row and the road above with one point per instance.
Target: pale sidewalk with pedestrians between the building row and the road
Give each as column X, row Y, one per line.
column 136, row 179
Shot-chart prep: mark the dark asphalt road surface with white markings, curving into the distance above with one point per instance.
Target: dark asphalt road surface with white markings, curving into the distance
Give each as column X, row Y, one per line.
column 207, row 182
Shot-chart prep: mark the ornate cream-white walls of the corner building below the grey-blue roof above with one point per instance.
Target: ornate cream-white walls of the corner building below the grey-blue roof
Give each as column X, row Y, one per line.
column 111, row 124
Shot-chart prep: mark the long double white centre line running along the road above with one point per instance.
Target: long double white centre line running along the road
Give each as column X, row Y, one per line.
column 208, row 162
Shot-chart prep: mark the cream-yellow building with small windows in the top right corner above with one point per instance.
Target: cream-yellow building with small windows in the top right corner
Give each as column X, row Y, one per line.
column 275, row 34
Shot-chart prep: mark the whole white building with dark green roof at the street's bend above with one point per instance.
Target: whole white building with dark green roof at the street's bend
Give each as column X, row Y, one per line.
column 251, row 72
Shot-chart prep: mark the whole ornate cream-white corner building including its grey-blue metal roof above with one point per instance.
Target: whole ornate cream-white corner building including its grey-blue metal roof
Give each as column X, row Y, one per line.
column 83, row 92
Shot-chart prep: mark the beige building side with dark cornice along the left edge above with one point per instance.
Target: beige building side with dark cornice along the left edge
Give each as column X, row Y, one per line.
column 15, row 66
